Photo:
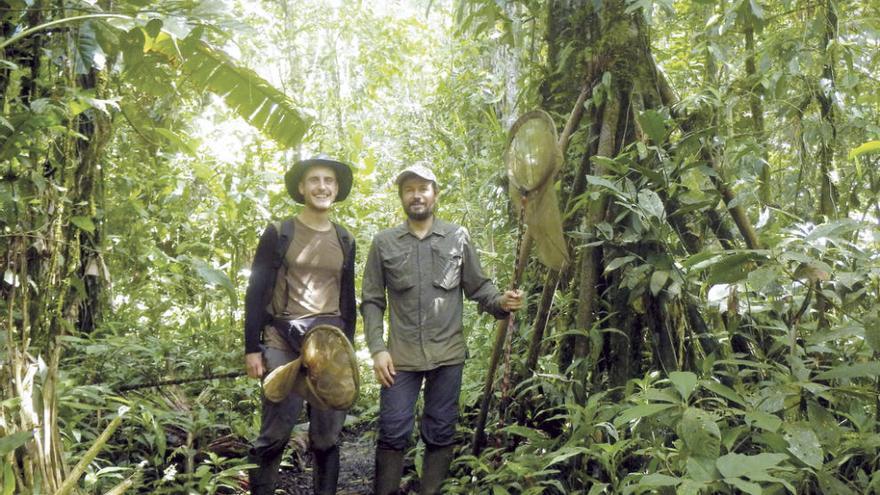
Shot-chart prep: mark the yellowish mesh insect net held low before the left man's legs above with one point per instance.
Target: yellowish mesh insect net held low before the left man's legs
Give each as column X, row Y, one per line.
column 325, row 374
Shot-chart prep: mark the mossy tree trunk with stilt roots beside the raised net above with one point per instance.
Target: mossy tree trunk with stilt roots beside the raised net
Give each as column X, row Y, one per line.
column 625, row 321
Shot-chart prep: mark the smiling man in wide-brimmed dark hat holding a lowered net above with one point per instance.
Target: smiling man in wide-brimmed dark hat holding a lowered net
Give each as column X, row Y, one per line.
column 302, row 282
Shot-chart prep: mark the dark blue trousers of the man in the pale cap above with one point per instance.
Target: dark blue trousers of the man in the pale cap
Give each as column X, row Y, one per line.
column 397, row 407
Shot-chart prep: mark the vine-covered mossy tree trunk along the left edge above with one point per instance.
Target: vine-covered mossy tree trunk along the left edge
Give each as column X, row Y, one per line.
column 53, row 274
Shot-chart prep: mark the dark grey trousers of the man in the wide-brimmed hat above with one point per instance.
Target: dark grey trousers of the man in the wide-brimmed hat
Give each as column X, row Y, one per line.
column 279, row 418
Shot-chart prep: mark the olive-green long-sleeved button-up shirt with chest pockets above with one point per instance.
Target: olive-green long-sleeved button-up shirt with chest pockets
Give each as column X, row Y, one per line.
column 424, row 280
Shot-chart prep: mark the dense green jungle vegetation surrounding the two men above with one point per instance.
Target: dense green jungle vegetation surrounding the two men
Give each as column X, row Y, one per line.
column 716, row 330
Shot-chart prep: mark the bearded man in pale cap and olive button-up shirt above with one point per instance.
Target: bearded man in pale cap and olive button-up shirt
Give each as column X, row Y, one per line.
column 421, row 270
